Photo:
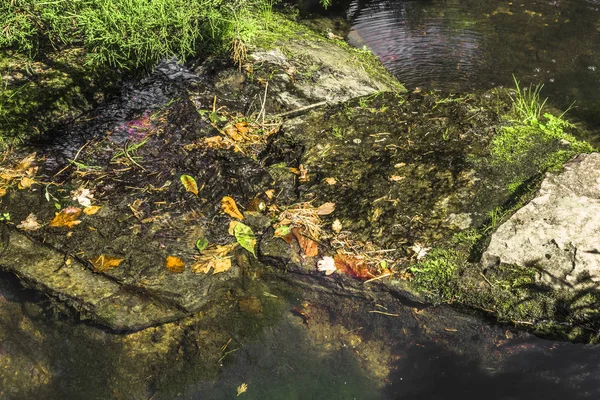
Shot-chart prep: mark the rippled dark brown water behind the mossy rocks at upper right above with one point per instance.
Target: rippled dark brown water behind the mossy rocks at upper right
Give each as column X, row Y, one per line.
column 462, row 45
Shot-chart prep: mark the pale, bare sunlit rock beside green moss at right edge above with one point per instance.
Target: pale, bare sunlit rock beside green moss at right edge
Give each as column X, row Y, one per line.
column 557, row 232
